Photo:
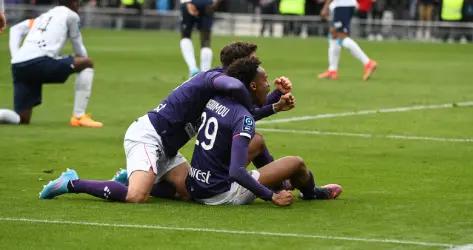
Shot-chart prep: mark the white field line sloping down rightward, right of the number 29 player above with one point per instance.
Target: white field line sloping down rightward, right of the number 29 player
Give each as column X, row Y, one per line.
column 369, row 136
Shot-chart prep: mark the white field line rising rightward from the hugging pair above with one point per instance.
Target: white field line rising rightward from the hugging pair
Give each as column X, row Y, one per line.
column 368, row 112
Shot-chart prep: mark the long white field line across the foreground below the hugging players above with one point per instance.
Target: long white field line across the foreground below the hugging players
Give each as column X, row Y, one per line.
column 228, row 231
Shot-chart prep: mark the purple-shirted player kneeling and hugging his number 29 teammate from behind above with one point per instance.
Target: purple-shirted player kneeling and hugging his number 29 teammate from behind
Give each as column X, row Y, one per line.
column 152, row 141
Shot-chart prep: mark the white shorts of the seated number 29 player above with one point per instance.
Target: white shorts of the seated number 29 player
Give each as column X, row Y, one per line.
column 237, row 195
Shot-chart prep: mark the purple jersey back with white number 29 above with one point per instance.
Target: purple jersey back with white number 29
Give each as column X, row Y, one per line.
column 222, row 119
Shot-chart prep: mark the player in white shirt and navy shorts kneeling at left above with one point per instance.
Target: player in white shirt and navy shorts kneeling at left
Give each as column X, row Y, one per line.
column 38, row 62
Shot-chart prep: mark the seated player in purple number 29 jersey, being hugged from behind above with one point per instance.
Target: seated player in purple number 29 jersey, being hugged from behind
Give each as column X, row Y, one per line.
column 218, row 174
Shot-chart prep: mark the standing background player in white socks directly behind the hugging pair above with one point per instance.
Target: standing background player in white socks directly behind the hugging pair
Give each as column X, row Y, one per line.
column 197, row 13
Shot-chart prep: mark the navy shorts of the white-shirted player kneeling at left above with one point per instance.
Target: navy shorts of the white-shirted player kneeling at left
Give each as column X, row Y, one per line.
column 29, row 76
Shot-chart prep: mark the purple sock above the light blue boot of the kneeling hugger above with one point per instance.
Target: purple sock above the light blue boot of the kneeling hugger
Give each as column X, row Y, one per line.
column 108, row 190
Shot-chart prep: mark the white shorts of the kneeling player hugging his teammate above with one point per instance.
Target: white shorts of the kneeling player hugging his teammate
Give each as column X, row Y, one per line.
column 144, row 150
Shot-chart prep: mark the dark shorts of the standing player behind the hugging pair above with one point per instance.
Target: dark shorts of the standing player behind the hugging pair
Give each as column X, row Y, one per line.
column 203, row 21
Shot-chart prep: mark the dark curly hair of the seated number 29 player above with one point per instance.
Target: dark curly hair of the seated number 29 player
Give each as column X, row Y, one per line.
column 244, row 69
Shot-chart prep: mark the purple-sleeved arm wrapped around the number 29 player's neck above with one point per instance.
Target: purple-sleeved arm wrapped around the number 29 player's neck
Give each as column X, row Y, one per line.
column 233, row 87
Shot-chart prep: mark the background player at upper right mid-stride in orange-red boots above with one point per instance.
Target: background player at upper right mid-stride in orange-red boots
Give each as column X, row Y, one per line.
column 342, row 12
